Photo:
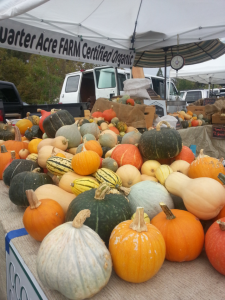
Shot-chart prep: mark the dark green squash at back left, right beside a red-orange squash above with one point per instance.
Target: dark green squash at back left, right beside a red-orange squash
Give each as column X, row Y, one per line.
column 54, row 121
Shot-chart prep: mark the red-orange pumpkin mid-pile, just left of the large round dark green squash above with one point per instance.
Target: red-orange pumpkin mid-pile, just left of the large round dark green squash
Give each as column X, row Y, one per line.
column 127, row 154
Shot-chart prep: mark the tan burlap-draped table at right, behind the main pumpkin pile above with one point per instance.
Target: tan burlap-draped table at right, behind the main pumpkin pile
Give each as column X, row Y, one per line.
column 201, row 136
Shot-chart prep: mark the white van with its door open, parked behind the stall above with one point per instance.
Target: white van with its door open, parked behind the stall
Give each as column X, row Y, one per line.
column 105, row 82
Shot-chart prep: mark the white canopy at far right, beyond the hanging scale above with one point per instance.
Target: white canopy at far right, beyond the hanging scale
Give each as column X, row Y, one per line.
column 212, row 71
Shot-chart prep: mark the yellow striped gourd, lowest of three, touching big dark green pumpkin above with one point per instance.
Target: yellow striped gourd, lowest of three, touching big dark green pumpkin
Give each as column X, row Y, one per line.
column 83, row 184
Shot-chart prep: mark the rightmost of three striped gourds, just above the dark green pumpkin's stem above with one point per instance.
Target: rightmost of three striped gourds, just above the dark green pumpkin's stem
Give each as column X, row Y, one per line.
column 108, row 176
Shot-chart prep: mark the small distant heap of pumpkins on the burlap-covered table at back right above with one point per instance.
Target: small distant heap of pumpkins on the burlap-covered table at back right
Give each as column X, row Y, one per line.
column 189, row 119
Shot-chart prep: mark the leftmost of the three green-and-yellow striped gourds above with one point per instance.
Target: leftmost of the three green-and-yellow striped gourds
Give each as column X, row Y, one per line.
column 58, row 165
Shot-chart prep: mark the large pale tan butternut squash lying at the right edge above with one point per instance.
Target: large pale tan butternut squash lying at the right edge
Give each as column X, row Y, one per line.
column 203, row 197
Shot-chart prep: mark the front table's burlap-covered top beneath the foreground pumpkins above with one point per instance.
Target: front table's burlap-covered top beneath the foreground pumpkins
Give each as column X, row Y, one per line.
column 187, row 280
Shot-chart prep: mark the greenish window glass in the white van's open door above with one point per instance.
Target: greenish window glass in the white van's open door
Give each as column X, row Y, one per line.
column 105, row 78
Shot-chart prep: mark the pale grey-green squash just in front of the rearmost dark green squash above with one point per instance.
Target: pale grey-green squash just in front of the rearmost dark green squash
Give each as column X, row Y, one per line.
column 71, row 134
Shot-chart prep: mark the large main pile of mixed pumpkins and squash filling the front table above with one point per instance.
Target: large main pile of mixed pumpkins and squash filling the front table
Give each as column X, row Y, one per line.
column 103, row 200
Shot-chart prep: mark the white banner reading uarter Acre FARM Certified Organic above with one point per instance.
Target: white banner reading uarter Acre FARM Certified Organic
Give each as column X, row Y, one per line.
column 21, row 37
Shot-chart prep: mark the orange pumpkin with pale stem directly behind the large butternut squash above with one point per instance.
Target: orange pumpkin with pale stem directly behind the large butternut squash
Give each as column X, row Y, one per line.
column 205, row 166
